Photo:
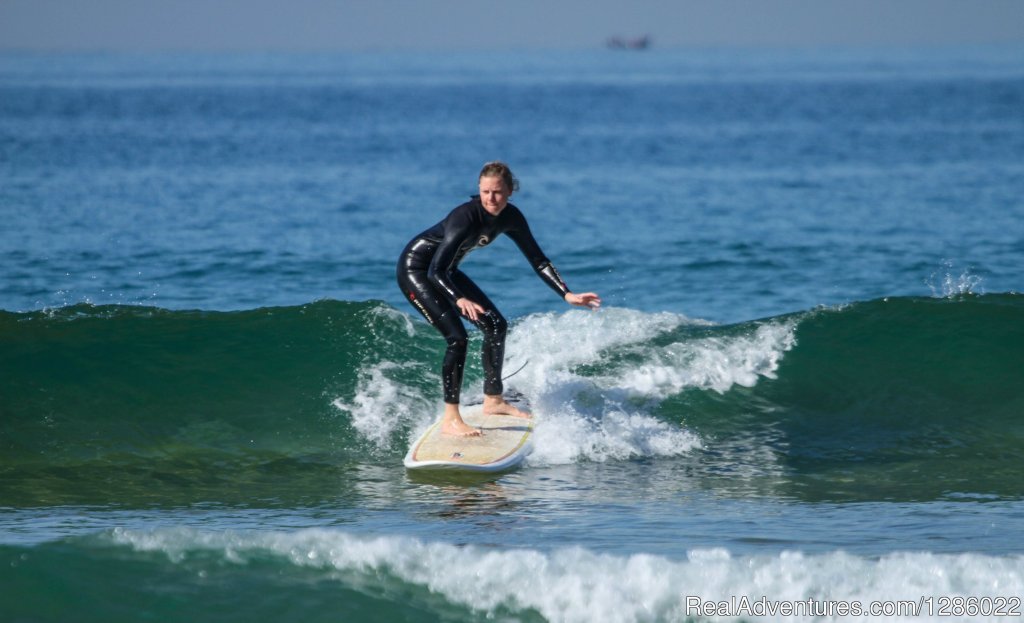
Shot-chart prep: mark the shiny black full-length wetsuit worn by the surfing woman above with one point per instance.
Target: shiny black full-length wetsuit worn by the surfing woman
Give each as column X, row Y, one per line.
column 430, row 277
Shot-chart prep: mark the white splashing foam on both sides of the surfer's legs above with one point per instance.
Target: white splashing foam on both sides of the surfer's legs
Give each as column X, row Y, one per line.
column 601, row 413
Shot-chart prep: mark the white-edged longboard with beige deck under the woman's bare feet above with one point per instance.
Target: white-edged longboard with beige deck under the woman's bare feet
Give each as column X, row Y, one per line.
column 505, row 443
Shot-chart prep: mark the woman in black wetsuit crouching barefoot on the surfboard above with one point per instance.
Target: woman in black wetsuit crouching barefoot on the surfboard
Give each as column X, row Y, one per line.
column 430, row 277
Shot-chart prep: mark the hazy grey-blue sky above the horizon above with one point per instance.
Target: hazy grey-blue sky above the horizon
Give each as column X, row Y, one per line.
column 347, row 25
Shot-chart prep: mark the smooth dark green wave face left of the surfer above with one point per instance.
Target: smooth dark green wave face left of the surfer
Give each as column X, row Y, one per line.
column 146, row 403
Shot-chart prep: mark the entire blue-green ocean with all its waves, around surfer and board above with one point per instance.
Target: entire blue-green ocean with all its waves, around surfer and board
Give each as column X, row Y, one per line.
column 805, row 391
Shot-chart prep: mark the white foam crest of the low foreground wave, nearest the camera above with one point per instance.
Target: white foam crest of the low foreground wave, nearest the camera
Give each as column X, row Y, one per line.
column 576, row 585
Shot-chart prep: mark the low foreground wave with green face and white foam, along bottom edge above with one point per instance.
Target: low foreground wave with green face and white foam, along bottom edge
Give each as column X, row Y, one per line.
column 197, row 575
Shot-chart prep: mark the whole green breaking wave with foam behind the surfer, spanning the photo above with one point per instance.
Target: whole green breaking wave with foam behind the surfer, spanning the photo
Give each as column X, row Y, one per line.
column 890, row 398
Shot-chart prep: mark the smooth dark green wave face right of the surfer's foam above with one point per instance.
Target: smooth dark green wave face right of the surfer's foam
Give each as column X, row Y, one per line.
column 902, row 398
